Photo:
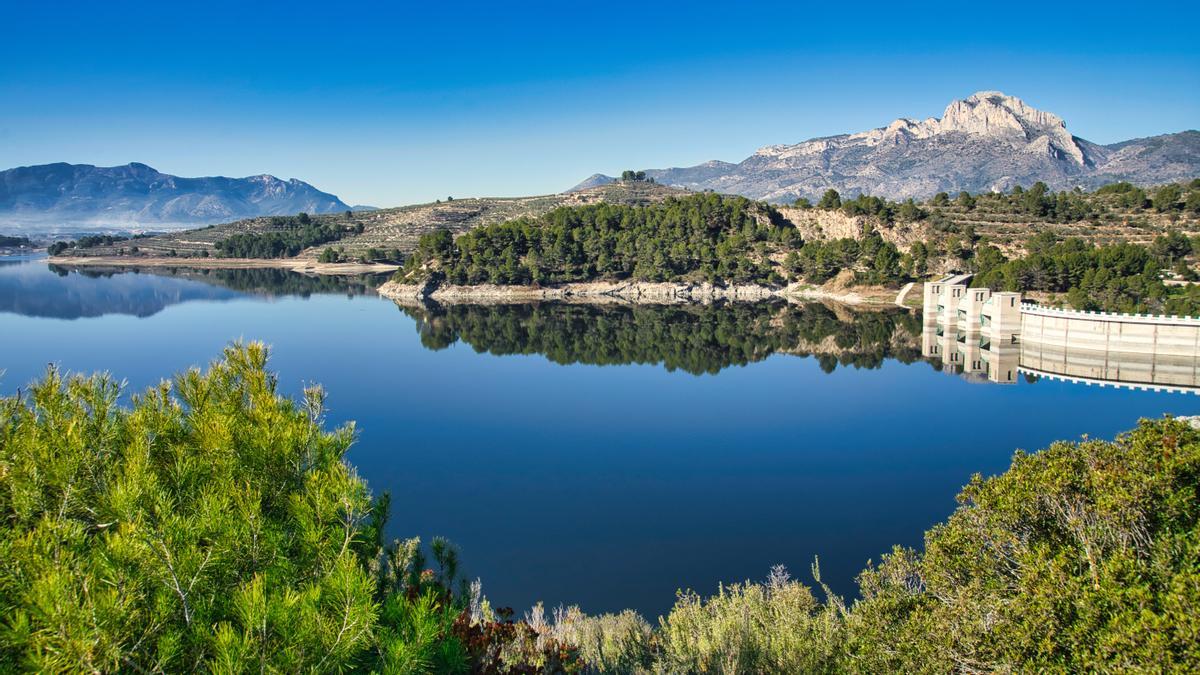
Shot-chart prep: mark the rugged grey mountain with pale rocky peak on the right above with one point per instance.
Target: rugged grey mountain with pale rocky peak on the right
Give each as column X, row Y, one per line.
column 987, row 142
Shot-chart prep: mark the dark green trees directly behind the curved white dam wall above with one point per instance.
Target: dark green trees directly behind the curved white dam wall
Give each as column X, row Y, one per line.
column 1125, row 277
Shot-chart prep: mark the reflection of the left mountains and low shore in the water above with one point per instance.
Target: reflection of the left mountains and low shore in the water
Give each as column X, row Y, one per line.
column 34, row 289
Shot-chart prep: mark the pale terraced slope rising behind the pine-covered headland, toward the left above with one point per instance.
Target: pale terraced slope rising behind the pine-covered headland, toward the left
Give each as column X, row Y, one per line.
column 398, row 229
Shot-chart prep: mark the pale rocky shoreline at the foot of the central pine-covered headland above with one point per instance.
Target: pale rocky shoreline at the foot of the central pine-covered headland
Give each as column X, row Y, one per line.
column 622, row 292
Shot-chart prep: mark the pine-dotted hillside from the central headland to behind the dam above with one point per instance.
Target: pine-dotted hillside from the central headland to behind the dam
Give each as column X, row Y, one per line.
column 721, row 240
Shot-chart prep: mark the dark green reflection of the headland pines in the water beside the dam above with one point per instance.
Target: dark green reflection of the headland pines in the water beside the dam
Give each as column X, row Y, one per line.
column 693, row 339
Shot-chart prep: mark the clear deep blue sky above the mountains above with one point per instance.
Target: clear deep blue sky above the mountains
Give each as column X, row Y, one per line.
column 392, row 103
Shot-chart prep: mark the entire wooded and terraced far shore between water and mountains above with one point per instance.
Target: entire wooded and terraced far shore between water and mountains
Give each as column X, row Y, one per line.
column 1120, row 248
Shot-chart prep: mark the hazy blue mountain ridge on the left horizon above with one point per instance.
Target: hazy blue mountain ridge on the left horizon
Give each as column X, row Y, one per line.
column 136, row 195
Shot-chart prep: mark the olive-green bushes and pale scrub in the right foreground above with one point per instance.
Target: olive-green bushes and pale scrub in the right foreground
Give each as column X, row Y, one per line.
column 1082, row 558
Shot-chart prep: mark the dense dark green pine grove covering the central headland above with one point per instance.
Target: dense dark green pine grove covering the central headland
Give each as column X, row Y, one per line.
column 697, row 238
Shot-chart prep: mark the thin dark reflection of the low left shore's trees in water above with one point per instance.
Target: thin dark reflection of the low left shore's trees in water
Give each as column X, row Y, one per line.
column 273, row 282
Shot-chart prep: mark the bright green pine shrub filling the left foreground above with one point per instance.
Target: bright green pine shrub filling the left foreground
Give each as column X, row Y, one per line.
column 213, row 525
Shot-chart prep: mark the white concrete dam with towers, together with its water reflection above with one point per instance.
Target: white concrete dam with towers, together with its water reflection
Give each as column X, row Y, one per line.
column 995, row 338
